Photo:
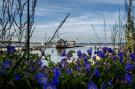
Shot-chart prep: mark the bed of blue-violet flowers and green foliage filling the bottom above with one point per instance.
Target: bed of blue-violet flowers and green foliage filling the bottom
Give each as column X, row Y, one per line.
column 107, row 69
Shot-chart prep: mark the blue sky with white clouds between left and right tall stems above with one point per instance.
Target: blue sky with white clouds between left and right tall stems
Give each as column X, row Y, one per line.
column 83, row 13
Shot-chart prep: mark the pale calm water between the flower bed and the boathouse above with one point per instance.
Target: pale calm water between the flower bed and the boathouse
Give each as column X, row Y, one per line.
column 56, row 53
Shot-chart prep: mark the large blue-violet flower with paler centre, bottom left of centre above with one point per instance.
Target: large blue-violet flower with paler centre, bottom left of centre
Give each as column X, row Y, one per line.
column 42, row 78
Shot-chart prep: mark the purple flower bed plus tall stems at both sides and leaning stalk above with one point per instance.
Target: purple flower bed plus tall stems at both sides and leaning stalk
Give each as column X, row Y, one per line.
column 107, row 68
